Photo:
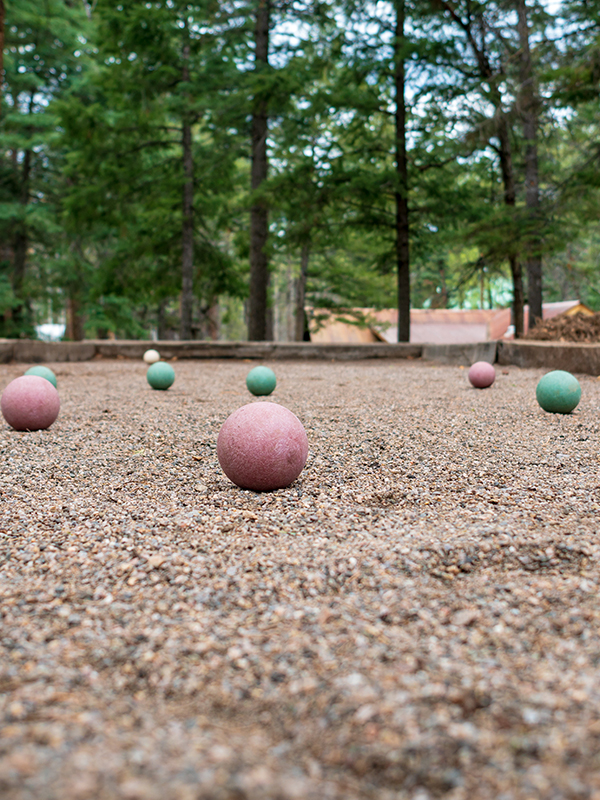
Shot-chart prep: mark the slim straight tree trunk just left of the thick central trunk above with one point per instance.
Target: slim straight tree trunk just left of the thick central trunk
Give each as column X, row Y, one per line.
column 187, row 232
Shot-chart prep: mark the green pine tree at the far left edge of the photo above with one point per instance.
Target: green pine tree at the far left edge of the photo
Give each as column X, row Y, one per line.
column 41, row 60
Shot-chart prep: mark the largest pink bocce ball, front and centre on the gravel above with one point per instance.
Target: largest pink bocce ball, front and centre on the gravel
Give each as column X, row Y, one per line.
column 262, row 446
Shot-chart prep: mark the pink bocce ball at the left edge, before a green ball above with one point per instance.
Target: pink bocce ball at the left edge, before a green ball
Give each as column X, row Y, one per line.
column 30, row 403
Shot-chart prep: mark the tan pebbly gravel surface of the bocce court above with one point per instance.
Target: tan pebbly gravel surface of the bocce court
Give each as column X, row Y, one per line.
column 415, row 617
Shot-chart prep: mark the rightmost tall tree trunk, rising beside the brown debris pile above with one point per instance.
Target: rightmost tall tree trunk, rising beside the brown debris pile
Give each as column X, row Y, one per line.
column 528, row 106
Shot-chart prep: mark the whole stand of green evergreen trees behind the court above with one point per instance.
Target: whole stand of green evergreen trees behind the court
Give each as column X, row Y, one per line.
column 229, row 168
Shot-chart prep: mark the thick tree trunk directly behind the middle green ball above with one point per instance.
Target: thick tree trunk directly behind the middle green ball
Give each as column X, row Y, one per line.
column 259, row 213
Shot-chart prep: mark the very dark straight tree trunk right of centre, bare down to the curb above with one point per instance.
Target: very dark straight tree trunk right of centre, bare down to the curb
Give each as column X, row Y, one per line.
column 402, row 229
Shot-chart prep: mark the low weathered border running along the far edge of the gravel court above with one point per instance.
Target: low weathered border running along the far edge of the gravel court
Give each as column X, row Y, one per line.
column 581, row 358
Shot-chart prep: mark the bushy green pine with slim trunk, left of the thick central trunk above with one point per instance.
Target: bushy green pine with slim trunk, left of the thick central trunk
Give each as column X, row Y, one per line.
column 147, row 127
